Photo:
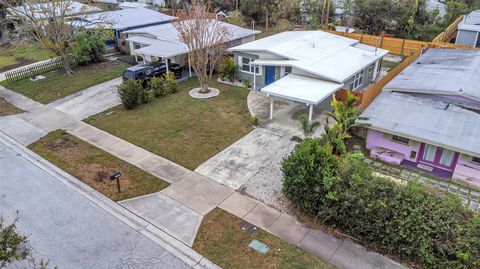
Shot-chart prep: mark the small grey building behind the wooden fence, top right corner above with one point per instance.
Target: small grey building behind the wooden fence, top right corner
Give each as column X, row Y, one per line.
column 469, row 29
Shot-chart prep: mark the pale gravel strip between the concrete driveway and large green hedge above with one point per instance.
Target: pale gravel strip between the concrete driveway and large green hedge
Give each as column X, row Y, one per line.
column 266, row 184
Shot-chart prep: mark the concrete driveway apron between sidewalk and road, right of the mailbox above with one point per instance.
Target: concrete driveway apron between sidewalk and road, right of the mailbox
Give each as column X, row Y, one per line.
column 167, row 214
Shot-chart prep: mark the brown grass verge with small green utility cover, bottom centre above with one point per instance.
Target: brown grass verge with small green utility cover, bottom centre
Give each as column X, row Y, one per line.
column 221, row 240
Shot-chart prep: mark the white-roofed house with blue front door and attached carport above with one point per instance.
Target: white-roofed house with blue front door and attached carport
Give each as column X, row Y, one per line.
column 307, row 66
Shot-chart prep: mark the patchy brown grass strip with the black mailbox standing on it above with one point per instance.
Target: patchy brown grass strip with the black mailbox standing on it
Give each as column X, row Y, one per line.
column 93, row 166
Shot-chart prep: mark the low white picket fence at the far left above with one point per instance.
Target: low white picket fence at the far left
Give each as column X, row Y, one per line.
column 33, row 70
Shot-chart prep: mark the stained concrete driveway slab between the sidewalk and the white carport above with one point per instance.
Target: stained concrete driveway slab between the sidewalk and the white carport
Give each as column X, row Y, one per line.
column 236, row 164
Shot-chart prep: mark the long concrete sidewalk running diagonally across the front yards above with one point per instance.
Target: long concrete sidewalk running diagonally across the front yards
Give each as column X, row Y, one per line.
column 201, row 193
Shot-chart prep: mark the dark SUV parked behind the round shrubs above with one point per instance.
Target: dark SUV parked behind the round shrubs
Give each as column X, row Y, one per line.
column 146, row 72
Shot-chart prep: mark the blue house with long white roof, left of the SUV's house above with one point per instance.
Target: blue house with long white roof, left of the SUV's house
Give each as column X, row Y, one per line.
column 119, row 21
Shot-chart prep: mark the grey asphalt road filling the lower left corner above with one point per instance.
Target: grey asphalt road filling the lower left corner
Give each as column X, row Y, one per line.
column 66, row 228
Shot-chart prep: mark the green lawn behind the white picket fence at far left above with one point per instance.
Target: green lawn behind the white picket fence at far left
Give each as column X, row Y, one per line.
column 19, row 55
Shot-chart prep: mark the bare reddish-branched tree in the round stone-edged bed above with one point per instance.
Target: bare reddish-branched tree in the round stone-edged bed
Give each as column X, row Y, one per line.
column 205, row 38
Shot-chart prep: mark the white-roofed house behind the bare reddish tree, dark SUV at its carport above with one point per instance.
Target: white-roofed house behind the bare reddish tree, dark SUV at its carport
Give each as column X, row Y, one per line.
column 161, row 42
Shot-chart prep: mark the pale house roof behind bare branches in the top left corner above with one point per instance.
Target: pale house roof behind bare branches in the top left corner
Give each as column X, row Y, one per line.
column 41, row 10
